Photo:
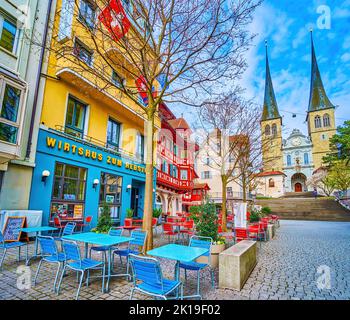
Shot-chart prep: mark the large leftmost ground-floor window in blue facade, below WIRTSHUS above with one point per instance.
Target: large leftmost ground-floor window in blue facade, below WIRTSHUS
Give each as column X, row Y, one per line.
column 68, row 196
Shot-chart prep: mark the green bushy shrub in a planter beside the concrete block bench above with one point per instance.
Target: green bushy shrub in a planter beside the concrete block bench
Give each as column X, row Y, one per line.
column 206, row 221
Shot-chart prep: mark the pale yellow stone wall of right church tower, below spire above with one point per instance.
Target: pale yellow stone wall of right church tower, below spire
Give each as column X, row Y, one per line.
column 320, row 136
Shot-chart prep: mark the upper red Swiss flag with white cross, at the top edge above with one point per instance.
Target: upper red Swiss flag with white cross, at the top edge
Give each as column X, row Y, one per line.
column 115, row 20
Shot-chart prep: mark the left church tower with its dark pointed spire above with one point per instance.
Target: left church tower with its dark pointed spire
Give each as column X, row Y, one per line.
column 271, row 127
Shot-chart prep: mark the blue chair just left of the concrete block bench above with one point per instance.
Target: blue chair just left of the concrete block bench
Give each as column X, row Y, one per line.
column 200, row 242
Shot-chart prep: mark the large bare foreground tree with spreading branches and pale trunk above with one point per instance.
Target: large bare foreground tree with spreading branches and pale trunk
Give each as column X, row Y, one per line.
column 163, row 50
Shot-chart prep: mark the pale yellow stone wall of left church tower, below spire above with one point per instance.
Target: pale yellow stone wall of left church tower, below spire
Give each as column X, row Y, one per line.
column 272, row 146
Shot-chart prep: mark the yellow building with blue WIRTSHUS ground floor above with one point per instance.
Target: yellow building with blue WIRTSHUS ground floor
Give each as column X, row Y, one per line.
column 91, row 145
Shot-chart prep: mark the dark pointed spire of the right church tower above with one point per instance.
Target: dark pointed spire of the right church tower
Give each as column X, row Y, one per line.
column 318, row 97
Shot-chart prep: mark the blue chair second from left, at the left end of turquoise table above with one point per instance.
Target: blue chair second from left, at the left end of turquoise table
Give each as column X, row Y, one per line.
column 50, row 254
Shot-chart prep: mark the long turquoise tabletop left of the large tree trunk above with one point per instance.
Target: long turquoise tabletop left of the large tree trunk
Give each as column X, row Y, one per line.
column 97, row 238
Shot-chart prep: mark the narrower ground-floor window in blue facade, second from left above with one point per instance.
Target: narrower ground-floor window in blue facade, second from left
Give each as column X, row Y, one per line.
column 111, row 193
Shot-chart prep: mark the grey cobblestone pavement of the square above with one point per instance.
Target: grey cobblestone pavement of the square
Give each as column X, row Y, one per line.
column 287, row 269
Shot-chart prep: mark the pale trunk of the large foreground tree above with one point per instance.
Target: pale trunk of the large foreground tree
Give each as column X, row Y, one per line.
column 148, row 202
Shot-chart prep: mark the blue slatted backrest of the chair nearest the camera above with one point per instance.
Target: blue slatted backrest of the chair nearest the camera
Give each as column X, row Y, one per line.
column 146, row 269
